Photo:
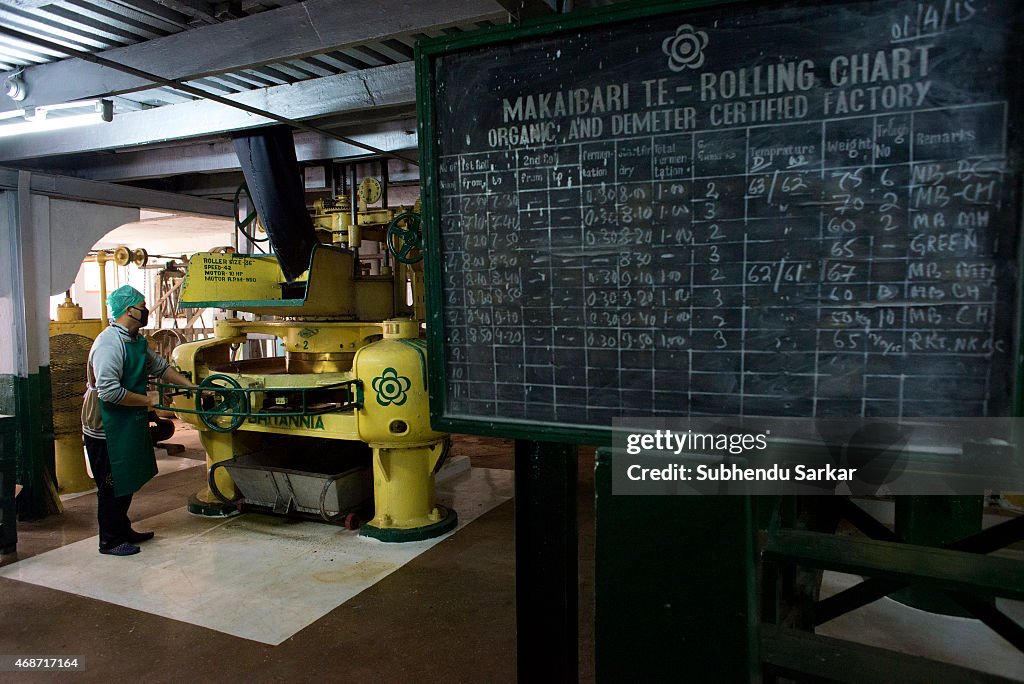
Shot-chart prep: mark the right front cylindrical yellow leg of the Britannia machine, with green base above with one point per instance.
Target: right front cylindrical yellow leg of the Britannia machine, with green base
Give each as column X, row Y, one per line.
column 404, row 496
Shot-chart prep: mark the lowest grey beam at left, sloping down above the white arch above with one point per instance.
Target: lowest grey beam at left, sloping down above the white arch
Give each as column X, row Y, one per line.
column 66, row 188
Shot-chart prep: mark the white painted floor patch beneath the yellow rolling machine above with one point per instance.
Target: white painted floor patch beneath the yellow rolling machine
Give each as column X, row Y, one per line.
column 253, row 576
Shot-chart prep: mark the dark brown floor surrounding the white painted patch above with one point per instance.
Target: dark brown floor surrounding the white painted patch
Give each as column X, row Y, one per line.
column 448, row 615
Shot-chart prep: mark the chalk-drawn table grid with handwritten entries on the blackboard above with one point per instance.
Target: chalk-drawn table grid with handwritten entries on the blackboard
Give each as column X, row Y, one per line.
column 573, row 272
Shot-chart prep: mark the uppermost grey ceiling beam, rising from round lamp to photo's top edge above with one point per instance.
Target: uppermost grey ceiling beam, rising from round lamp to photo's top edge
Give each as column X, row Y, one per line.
column 279, row 35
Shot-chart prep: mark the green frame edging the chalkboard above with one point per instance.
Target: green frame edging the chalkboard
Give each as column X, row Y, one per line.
column 426, row 53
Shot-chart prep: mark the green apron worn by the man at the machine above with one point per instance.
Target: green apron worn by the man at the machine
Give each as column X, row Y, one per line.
column 134, row 462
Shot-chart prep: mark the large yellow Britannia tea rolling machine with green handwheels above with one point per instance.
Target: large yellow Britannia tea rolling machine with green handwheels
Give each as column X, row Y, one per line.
column 304, row 433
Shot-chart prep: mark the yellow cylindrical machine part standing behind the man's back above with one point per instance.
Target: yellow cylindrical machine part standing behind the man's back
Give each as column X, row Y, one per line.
column 71, row 339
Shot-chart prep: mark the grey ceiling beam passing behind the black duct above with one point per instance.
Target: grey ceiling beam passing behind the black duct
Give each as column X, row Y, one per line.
column 220, row 157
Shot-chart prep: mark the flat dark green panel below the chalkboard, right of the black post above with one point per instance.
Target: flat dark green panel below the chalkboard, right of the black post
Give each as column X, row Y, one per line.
column 675, row 587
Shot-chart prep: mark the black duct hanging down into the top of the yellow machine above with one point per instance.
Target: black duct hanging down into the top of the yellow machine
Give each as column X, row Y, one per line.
column 268, row 160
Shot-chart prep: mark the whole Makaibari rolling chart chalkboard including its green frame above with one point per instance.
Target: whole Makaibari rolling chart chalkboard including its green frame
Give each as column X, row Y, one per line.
column 789, row 209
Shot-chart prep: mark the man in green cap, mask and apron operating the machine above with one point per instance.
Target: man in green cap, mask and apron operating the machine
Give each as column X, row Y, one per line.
column 119, row 448
